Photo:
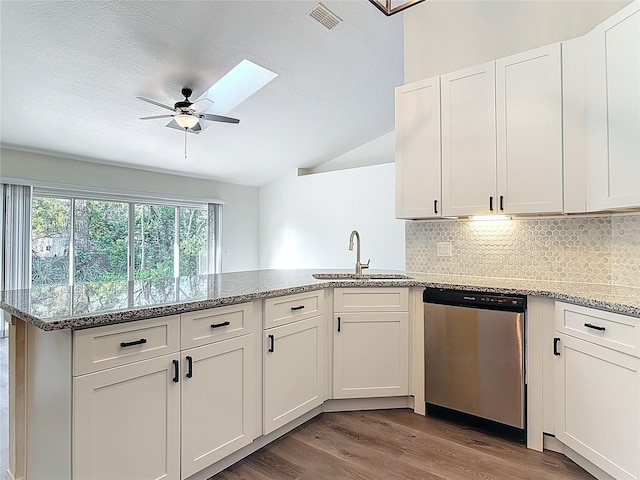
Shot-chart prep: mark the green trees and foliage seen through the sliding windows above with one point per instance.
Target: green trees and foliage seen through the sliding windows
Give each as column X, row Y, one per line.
column 101, row 240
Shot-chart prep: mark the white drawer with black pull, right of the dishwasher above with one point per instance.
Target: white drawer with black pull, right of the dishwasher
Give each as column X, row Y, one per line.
column 612, row 330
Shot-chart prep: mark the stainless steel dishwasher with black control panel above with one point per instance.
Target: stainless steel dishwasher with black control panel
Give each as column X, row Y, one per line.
column 474, row 355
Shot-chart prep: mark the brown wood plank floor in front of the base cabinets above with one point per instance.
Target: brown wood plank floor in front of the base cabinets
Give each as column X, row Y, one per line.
column 397, row 445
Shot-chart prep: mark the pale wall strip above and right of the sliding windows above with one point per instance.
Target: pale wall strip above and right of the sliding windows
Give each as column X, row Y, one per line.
column 240, row 211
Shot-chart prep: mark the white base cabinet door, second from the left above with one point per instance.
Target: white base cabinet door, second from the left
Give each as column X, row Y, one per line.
column 218, row 401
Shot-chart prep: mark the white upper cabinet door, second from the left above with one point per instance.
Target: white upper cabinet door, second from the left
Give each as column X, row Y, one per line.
column 469, row 141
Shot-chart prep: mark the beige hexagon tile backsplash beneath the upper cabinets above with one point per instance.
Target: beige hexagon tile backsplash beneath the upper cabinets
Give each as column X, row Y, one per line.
column 600, row 249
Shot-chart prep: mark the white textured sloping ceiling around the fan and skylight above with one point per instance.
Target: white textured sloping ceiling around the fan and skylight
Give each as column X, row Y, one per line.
column 71, row 72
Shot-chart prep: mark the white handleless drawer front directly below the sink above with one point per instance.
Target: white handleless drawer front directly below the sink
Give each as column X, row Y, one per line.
column 380, row 299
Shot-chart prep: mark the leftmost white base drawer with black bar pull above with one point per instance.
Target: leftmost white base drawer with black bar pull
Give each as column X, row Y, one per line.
column 113, row 345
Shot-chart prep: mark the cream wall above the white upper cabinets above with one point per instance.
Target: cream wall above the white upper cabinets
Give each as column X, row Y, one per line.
column 442, row 36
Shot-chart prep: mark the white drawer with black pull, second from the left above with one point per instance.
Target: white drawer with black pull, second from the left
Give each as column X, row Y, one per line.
column 215, row 324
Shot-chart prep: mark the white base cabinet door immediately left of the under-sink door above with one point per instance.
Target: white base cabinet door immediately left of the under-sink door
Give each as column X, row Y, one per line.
column 294, row 372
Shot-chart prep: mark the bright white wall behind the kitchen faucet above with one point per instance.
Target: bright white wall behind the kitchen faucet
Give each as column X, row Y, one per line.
column 305, row 221
